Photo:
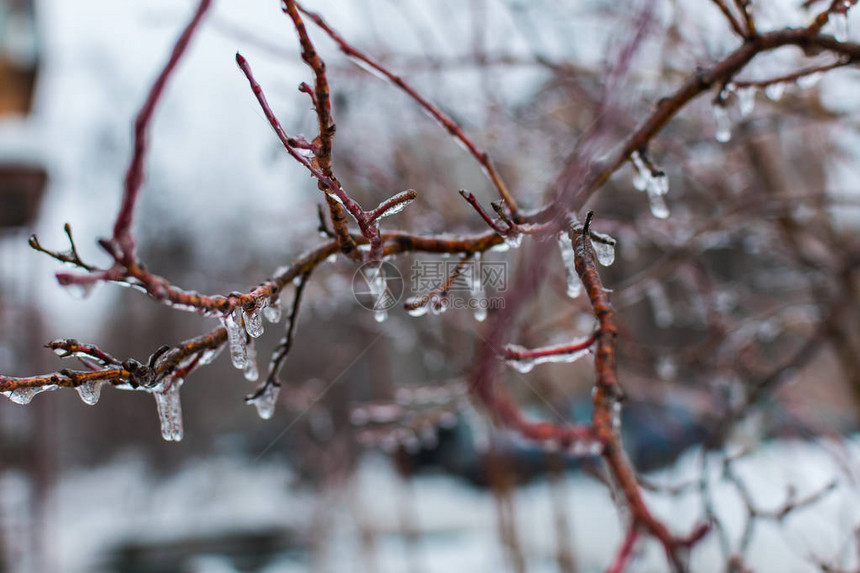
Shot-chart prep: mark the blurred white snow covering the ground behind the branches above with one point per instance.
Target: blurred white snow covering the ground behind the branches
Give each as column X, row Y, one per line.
column 90, row 512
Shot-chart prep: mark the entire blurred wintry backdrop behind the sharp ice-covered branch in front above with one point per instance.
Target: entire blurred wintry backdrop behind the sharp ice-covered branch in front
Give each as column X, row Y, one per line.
column 740, row 313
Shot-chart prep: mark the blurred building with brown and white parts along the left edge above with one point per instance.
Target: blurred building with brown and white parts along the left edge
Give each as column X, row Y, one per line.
column 24, row 432
